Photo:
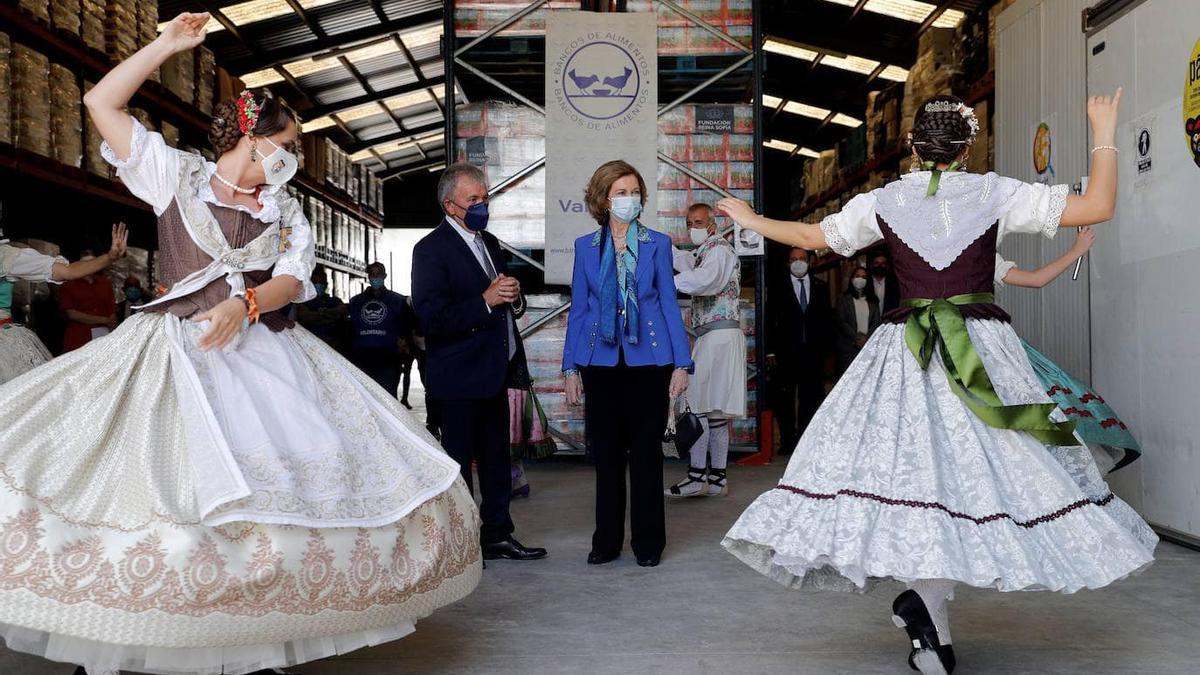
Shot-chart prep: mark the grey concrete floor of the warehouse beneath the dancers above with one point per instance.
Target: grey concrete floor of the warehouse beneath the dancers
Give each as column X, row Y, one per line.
column 703, row 612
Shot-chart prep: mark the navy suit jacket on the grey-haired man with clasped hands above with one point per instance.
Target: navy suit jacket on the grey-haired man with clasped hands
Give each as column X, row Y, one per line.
column 467, row 347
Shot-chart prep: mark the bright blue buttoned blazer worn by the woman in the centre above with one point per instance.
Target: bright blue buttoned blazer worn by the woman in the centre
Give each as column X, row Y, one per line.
column 662, row 338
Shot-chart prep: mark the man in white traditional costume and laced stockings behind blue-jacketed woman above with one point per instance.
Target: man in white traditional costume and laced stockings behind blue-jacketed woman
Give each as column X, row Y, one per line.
column 712, row 276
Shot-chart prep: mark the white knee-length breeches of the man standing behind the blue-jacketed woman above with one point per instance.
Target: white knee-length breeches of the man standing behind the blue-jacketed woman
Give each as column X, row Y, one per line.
column 719, row 384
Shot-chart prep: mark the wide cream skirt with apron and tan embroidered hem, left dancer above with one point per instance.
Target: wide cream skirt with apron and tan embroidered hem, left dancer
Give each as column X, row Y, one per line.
column 171, row 511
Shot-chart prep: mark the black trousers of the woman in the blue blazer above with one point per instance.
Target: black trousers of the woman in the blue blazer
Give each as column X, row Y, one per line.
column 626, row 411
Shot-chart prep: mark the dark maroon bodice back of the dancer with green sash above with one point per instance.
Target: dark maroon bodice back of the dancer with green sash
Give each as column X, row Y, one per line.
column 973, row 272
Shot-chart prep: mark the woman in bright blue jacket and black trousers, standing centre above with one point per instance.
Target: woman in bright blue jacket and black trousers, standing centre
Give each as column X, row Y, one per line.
column 626, row 347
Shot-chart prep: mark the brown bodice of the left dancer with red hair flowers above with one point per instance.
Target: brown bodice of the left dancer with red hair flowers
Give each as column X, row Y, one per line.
column 179, row 256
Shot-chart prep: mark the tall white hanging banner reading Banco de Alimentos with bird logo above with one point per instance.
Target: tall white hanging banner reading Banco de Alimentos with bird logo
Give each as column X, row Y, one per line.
column 602, row 105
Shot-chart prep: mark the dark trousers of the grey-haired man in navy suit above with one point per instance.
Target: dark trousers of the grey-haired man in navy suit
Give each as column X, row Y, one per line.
column 479, row 431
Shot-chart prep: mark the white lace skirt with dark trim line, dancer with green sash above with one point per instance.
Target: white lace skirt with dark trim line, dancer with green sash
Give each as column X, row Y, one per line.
column 897, row 479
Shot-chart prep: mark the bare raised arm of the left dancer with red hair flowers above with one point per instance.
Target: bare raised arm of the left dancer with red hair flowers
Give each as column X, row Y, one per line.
column 107, row 100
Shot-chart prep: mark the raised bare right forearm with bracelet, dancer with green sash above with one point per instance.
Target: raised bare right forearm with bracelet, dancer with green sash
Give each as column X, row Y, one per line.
column 1100, row 204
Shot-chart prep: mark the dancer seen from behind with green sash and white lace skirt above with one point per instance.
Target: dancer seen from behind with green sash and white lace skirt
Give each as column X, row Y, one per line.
column 939, row 458
